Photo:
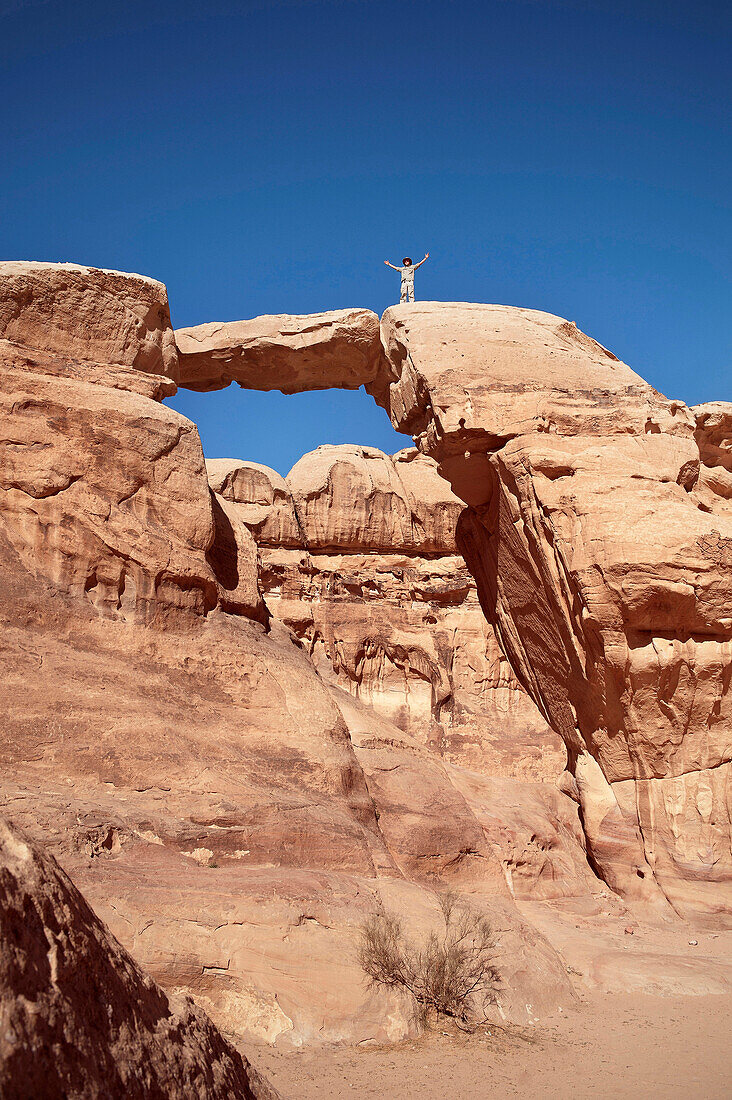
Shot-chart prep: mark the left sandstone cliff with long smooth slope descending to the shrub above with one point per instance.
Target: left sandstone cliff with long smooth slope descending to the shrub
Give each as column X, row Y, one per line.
column 228, row 813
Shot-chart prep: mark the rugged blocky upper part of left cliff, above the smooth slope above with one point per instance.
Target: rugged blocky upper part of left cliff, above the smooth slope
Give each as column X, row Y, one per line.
column 105, row 490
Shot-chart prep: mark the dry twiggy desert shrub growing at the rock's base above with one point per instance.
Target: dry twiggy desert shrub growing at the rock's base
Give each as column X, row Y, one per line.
column 451, row 973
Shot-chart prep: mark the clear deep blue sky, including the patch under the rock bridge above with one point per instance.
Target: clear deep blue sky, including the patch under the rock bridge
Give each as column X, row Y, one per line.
column 268, row 157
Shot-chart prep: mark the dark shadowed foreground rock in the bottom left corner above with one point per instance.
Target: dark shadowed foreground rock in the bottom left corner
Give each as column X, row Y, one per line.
column 79, row 1018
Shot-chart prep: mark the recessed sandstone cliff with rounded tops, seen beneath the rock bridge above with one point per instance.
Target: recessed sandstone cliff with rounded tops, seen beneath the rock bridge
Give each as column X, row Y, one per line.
column 358, row 558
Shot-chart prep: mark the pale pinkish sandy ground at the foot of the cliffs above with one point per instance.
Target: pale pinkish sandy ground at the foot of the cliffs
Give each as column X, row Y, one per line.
column 652, row 1042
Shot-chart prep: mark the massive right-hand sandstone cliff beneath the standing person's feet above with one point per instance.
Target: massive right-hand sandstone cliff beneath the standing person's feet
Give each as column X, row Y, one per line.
column 606, row 574
